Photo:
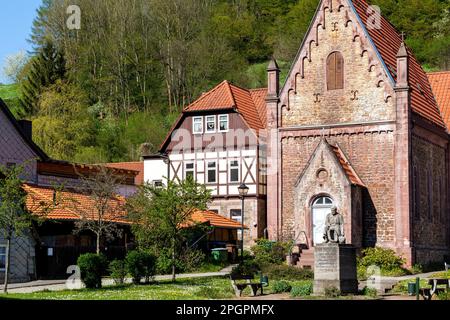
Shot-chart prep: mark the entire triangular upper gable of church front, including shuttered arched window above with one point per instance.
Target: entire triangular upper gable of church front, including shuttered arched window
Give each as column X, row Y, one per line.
column 338, row 75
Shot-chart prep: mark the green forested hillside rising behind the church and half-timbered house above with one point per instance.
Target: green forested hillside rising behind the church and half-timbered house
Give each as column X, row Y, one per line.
column 96, row 94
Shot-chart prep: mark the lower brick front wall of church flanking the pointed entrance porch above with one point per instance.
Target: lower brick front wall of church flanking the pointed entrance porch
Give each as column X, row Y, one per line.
column 371, row 155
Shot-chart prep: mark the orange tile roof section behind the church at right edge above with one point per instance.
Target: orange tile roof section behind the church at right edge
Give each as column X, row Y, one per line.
column 440, row 83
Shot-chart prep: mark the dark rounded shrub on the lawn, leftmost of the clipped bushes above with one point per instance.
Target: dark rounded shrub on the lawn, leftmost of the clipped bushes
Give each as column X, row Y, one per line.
column 92, row 267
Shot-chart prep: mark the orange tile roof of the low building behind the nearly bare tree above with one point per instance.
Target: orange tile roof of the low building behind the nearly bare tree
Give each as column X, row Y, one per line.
column 70, row 205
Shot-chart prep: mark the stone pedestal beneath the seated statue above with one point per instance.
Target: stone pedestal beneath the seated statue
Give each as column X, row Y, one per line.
column 335, row 266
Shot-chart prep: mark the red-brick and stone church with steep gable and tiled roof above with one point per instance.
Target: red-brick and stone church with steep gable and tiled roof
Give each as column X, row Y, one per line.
column 356, row 125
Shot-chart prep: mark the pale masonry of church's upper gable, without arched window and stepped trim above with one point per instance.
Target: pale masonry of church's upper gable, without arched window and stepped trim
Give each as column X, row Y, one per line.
column 363, row 98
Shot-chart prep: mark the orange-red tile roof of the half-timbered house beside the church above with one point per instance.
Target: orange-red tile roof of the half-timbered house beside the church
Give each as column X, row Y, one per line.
column 249, row 103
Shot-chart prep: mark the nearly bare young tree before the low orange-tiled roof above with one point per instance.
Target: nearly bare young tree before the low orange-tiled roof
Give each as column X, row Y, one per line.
column 105, row 208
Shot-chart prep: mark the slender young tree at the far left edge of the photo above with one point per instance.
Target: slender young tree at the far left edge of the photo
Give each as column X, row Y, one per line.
column 15, row 211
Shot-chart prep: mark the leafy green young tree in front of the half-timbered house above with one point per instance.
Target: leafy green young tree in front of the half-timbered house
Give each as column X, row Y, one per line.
column 162, row 214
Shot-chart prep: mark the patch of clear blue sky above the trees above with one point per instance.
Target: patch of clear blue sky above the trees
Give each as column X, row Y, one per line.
column 16, row 19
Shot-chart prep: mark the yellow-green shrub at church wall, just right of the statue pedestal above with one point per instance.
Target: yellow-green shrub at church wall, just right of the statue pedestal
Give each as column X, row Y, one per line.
column 385, row 259
